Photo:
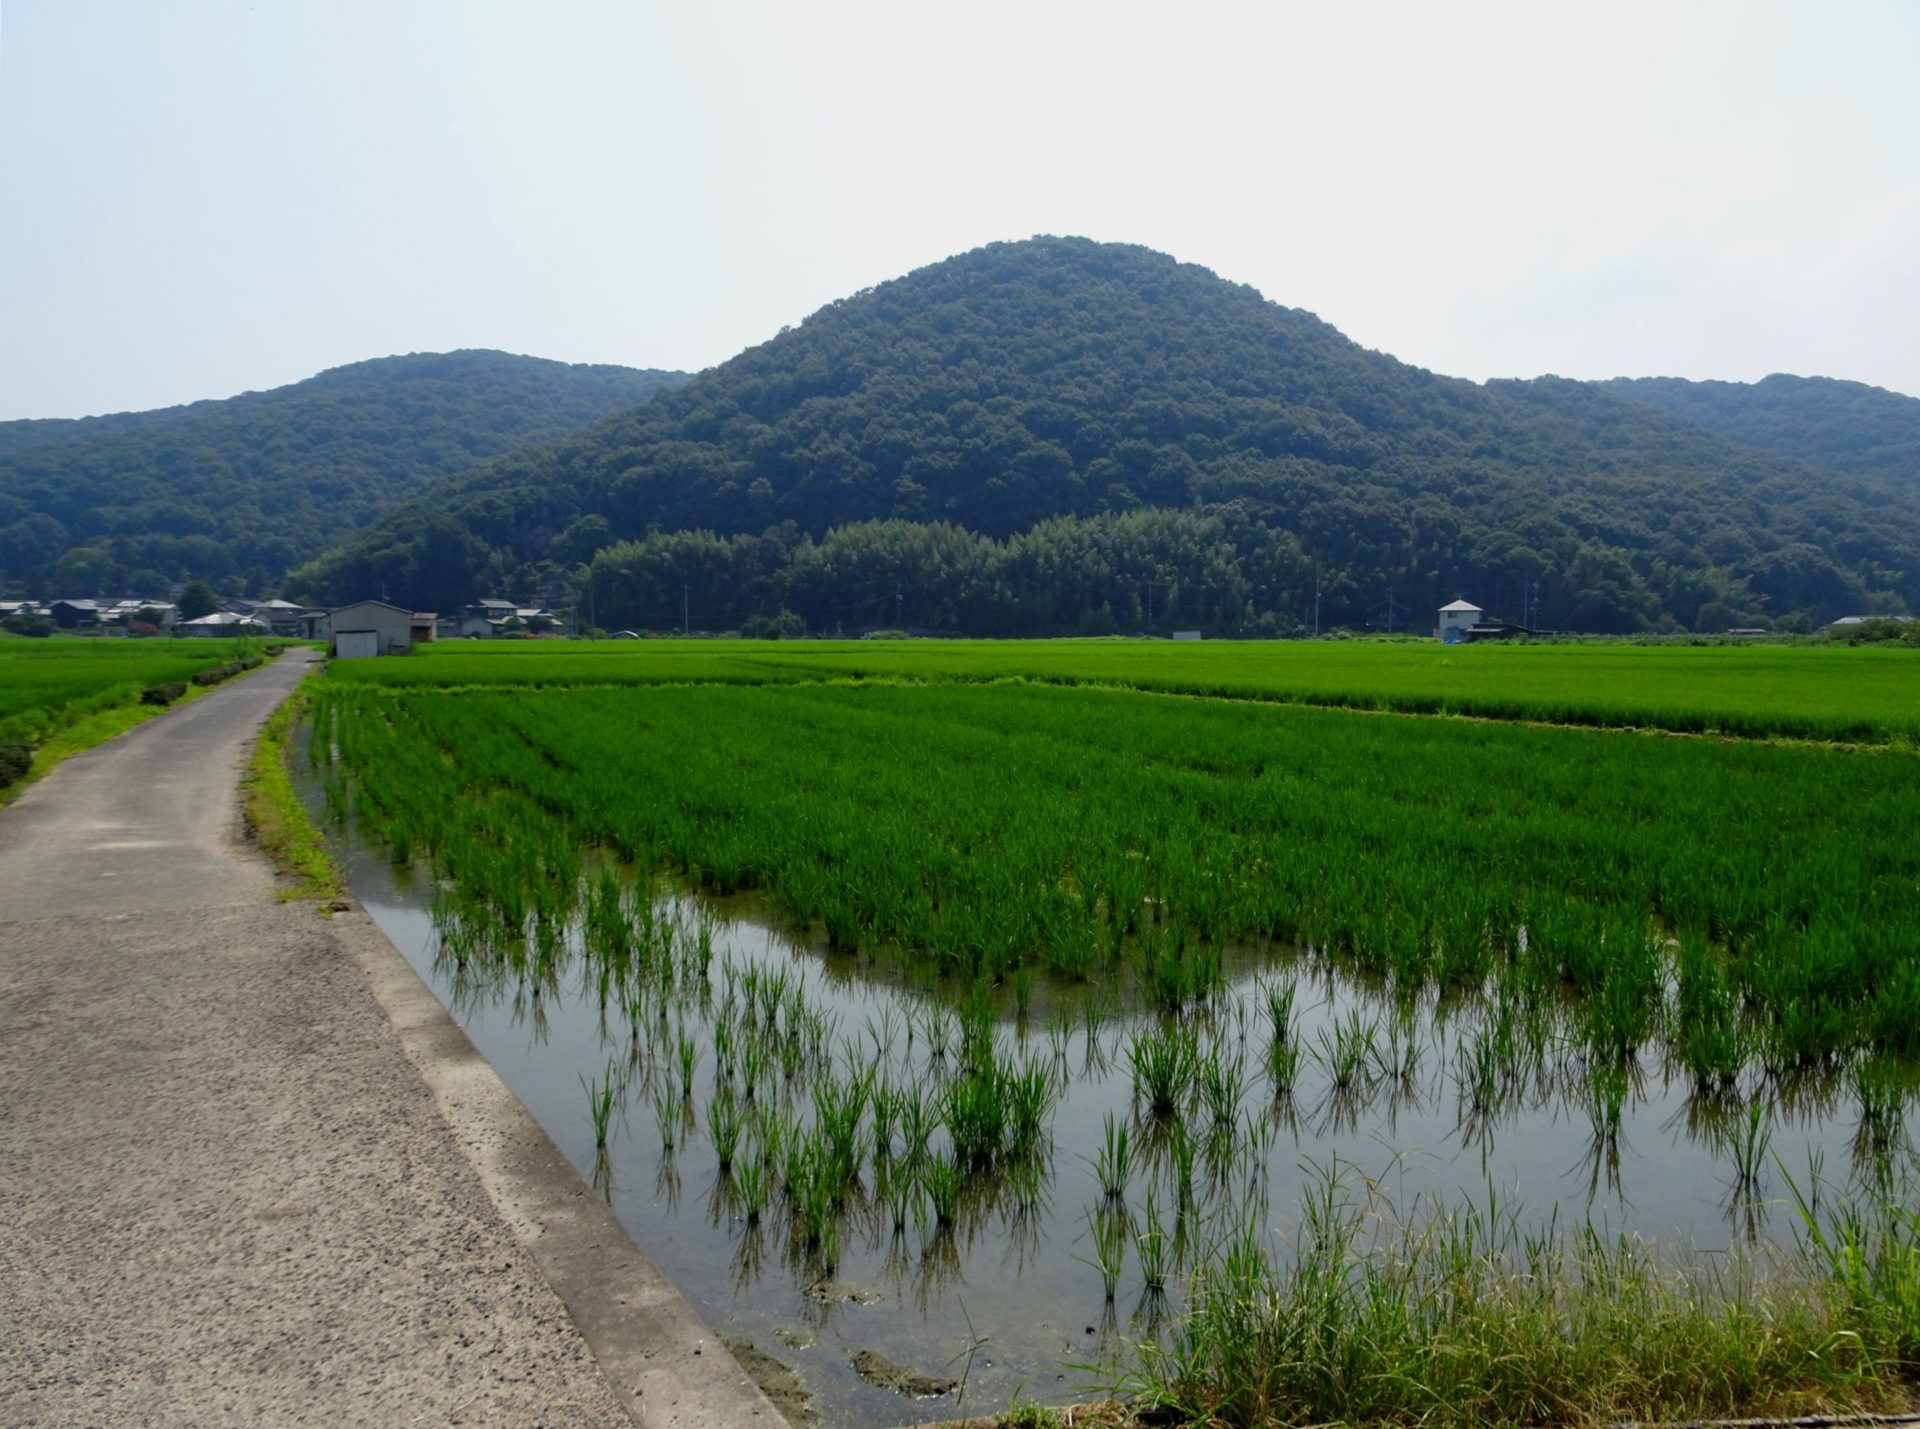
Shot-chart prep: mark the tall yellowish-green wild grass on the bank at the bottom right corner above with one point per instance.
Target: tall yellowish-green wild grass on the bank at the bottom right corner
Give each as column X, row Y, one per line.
column 1462, row 1319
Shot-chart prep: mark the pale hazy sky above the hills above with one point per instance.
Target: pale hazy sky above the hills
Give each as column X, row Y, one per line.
column 199, row 199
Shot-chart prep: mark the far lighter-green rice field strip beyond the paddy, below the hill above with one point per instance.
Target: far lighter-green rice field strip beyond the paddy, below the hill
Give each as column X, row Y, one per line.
column 1798, row 692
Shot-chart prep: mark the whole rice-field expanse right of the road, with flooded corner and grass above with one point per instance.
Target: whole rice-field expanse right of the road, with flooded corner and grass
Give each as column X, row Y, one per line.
column 1276, row 1054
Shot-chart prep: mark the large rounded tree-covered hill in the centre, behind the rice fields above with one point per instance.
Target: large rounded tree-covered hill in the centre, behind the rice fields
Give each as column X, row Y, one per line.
column 1176, row 441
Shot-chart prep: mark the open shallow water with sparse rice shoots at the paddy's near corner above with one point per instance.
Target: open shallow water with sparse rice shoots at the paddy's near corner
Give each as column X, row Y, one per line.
column 930, row 1198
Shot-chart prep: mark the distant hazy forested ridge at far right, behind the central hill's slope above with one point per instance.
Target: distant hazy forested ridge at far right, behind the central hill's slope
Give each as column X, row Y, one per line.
column 1846, row 427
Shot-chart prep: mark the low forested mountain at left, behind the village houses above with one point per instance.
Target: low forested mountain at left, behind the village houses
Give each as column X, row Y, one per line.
column 239, row 491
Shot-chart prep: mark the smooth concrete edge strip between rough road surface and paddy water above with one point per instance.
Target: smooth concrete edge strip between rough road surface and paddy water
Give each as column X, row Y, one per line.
column 665, row 1365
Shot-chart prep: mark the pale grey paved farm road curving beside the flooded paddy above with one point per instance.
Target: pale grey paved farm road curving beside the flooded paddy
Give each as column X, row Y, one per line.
column 247, row 1178
